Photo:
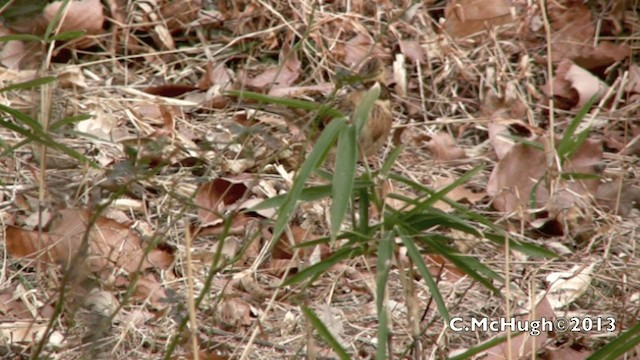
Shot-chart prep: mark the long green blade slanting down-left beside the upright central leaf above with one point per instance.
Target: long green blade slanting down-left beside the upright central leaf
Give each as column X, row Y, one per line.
column 313, row 160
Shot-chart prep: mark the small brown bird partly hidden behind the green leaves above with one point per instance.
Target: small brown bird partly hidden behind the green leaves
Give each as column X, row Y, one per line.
column 376, row 130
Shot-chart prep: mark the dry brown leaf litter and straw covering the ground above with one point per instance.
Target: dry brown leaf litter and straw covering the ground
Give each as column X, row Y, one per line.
column 176, row 154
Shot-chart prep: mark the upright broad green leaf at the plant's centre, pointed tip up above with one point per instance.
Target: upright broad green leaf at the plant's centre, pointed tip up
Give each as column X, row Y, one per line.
column 343, row 177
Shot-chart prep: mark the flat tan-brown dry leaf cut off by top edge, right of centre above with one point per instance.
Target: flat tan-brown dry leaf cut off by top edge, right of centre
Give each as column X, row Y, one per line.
column 466, row 17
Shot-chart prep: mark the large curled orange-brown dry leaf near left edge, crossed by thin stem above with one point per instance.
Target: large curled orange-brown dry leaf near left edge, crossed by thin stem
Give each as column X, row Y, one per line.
column 110, row 244
